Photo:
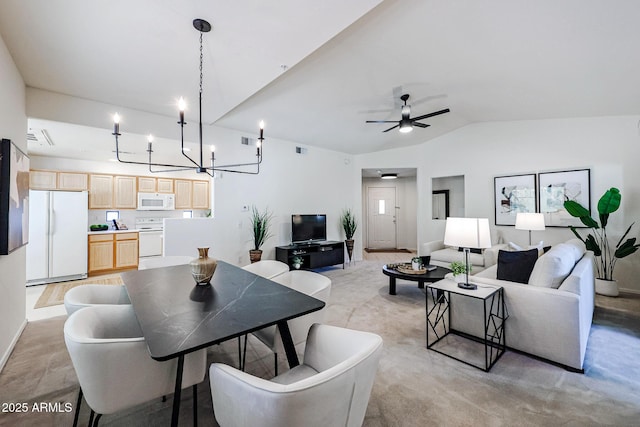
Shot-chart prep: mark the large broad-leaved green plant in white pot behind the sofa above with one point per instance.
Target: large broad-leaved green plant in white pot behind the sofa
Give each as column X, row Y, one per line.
column 606, row 255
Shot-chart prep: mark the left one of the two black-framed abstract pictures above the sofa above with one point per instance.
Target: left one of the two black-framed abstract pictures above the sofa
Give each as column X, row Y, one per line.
column 513, row 194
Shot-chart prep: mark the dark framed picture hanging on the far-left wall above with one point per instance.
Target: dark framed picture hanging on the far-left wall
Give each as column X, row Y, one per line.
column 14, row 197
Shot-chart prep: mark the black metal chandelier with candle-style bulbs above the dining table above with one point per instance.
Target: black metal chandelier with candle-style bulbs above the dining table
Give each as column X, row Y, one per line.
column 198, row 165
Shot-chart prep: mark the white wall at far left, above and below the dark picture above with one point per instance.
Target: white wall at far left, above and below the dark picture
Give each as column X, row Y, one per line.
column 13, row 125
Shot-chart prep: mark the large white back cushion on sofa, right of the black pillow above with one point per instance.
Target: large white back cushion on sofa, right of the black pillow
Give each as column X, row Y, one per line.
column 555, row 265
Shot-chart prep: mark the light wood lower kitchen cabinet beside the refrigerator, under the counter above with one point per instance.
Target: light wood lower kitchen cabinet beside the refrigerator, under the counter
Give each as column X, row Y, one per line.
column 111, row 252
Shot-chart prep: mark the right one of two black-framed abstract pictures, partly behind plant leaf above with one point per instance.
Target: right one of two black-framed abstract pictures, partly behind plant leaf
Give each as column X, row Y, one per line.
column 558, row 187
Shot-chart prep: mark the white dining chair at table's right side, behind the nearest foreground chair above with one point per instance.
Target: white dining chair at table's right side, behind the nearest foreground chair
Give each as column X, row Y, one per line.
column 309, row 283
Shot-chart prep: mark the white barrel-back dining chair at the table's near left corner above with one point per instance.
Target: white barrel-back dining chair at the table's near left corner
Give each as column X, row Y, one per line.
column 112, row 362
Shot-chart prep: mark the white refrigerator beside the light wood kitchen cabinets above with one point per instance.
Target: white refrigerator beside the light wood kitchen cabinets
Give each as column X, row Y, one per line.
column 57, row 248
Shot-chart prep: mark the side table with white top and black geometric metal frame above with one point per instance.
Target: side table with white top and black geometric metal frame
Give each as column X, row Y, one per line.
column 438, row 308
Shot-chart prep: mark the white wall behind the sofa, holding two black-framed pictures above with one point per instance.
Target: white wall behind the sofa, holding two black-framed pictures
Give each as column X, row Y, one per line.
column 609, row 146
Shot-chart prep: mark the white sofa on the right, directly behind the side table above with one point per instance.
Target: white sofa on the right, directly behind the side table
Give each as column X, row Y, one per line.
column 550, row 317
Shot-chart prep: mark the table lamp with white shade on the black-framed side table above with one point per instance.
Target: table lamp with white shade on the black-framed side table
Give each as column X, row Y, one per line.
column 467, row 233
